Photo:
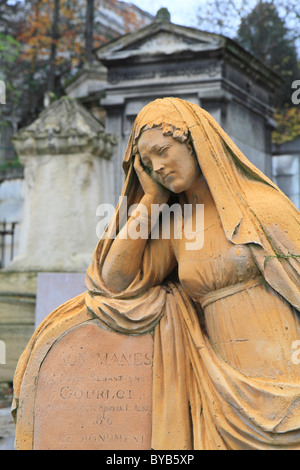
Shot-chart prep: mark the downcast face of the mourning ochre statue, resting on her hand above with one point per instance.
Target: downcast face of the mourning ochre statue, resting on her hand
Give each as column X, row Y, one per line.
column 169, row 162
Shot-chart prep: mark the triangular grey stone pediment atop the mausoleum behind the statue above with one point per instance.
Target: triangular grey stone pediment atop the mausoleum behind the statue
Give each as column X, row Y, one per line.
column 159, row 39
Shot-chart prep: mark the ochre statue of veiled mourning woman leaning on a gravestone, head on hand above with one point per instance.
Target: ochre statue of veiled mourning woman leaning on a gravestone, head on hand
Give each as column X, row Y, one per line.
column 224, row 315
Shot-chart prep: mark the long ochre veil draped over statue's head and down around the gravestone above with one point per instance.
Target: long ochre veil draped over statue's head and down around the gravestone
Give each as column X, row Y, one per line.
column 199, row 401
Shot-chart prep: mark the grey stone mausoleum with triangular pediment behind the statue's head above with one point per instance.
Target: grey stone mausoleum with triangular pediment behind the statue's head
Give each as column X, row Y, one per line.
column 165, row 59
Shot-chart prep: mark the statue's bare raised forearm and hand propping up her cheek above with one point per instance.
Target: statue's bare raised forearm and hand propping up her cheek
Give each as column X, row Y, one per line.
column 125, row 256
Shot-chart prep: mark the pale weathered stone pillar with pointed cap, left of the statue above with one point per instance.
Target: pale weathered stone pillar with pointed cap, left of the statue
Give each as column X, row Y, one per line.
column 68, row 173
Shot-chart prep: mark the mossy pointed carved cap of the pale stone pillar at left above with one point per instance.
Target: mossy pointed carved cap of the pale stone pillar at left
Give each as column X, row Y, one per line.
column 64, row 128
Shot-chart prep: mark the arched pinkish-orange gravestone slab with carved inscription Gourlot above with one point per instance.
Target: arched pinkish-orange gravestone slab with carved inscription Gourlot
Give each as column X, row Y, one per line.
column 94, row 392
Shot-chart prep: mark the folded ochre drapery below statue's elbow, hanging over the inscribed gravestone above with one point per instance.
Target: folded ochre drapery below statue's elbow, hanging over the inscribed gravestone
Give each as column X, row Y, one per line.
column 199, row 401
